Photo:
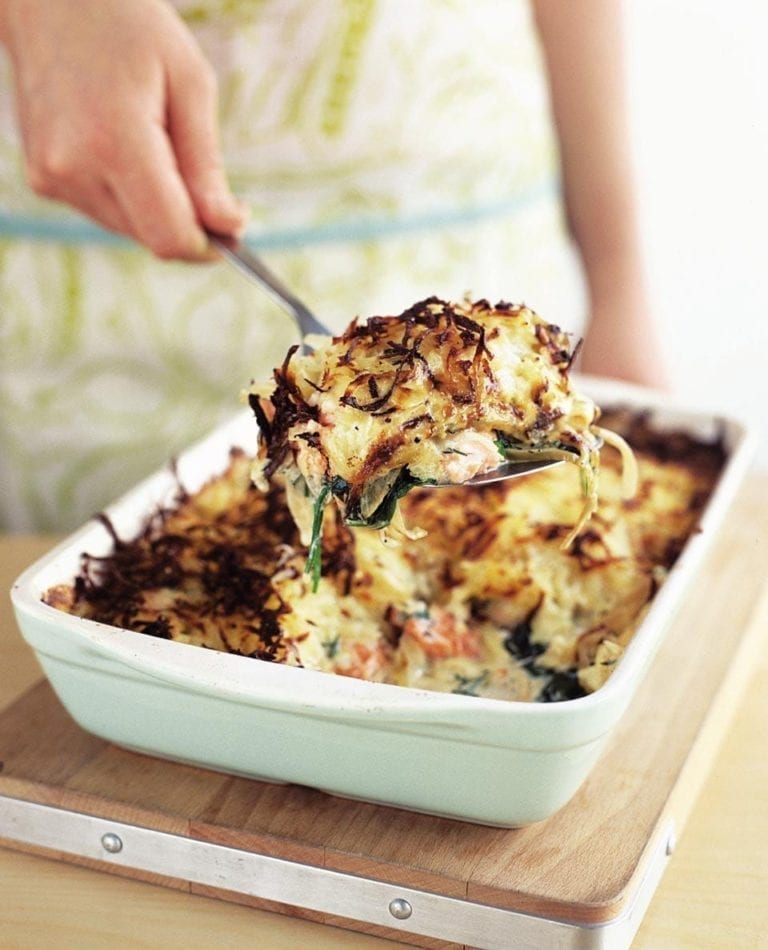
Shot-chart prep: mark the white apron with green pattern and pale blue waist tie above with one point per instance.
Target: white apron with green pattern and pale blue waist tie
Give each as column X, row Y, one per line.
column 388, row 151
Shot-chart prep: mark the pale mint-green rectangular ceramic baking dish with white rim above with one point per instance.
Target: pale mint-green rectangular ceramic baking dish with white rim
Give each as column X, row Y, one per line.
column 484, row 760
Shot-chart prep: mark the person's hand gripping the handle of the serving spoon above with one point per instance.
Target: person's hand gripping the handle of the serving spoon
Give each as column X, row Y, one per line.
column 117, row 112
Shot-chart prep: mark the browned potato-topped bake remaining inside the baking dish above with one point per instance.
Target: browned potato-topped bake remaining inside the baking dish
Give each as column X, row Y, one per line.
column 487, row 603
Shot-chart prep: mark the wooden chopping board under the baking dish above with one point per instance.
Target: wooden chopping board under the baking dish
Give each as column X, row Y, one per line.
column 582, row 865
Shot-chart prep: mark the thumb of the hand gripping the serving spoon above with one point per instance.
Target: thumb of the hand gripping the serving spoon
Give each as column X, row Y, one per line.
column 194, row 134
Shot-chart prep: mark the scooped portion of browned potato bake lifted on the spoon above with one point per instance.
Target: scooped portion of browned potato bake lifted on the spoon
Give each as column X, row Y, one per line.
column 437, row 395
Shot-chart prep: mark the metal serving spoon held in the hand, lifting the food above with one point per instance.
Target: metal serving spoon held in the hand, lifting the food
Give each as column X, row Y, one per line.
column 249, row 264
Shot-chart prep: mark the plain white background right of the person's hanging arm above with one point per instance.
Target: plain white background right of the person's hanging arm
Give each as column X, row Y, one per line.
column 699, row 104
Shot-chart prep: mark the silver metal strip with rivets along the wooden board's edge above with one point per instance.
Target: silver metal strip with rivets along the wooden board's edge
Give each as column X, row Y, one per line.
column 301, row 885
